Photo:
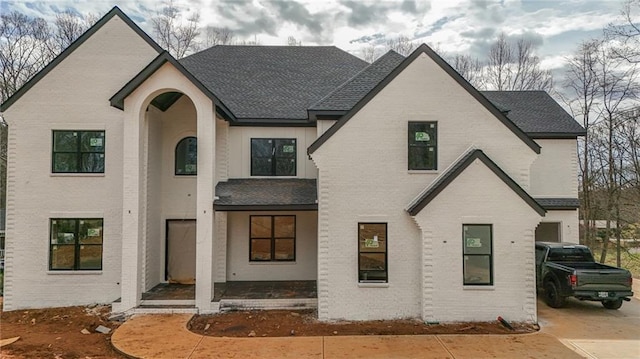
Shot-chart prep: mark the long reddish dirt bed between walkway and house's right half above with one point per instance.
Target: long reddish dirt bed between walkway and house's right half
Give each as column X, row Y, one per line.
column 281, row 323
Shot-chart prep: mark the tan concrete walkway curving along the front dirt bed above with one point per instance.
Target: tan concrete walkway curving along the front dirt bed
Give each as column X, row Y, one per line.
column 166, row 336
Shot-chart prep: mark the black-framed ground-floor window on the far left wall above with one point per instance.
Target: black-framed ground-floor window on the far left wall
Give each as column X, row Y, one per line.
column 76, row 244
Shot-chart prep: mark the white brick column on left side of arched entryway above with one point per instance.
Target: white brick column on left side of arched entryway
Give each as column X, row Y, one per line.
column 132, row 209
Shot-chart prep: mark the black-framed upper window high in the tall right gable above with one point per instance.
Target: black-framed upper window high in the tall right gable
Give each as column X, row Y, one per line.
column 423, row 146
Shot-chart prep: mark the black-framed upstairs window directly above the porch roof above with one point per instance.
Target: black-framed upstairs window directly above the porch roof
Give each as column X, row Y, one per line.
column 273, row 156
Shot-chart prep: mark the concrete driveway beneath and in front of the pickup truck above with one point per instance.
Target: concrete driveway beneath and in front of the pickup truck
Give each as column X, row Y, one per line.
column 592, row 331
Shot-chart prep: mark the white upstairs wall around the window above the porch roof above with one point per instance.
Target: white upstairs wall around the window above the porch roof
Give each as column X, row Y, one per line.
column 240, row 148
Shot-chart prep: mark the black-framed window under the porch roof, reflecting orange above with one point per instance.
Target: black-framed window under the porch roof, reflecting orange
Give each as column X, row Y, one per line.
column 272, row 238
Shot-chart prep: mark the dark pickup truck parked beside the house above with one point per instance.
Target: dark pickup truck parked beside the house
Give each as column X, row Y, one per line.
column 569, row 270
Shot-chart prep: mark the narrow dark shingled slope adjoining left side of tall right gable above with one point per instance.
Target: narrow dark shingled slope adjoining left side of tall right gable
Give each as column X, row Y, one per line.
column 348, row 94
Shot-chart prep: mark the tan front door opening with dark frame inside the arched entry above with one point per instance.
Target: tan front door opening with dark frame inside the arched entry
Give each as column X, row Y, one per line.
column 180, row 265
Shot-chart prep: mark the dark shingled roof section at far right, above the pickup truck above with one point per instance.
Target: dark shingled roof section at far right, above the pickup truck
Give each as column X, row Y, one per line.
column 536, row 113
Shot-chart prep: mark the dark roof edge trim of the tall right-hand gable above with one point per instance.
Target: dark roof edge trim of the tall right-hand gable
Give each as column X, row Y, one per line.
column 424, row 49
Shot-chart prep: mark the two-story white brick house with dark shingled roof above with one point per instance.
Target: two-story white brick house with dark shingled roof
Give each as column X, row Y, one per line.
column 395, row 187
